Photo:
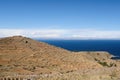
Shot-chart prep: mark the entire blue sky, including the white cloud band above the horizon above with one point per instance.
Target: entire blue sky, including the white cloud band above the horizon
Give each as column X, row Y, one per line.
column 60, row 19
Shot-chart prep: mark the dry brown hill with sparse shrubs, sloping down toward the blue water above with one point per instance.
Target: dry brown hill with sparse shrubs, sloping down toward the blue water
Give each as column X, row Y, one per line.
column 21, row 55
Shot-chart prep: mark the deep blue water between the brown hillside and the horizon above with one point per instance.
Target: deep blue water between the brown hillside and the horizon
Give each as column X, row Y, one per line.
column 111, row 46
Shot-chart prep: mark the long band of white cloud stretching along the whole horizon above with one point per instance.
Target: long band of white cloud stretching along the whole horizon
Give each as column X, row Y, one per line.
column 62, row 33
